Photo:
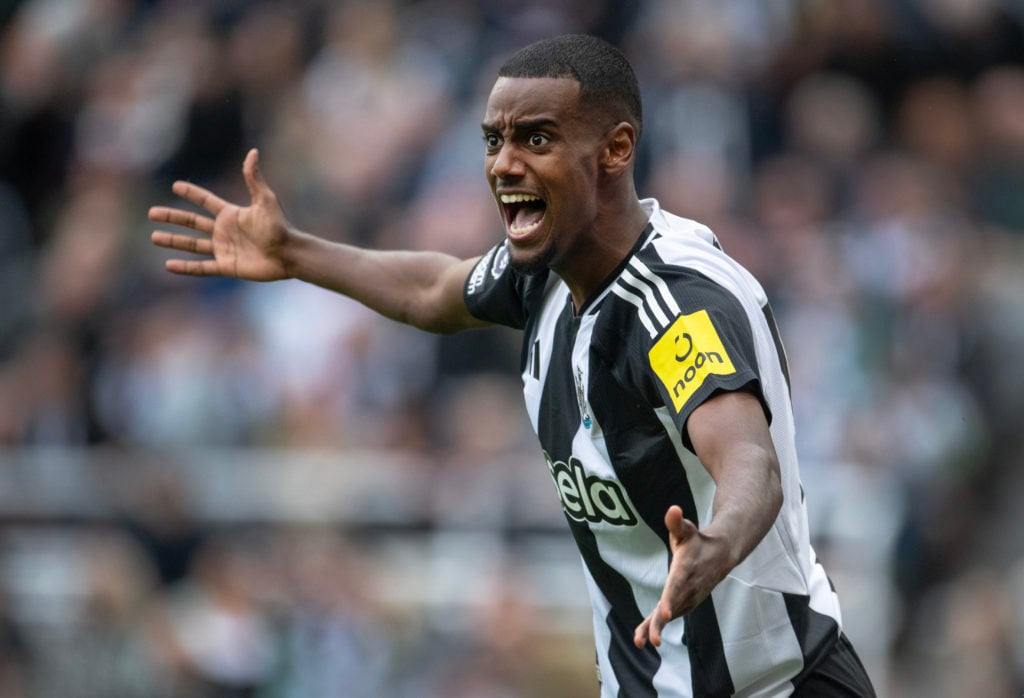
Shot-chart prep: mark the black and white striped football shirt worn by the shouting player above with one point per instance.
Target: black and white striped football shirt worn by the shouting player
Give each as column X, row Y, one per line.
column 609, row 391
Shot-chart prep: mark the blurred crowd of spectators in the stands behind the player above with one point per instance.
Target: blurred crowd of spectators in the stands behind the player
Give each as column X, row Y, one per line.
column 864, row 158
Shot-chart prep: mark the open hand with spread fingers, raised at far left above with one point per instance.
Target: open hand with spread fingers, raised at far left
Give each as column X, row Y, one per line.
column 241, row 242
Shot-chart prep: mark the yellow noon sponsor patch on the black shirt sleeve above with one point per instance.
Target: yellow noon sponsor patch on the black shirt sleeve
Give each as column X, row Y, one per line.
column 689, row 353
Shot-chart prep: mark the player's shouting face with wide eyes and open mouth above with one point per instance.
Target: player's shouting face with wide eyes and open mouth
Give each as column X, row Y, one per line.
column 542, row 164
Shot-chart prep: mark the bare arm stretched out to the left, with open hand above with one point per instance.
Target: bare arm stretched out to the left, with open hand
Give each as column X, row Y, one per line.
column 258, row 243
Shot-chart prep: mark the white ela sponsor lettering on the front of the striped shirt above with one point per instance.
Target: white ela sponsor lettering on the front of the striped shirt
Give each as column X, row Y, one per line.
column 588, row 498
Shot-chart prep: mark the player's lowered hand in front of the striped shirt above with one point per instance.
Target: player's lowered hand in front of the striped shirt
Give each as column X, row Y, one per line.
column 699, row 563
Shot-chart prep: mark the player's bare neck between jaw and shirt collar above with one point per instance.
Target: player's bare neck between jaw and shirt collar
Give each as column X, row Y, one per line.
column 614, row 234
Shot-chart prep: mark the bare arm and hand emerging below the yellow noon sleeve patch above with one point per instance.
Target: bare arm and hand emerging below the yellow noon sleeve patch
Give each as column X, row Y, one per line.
column 731, row 435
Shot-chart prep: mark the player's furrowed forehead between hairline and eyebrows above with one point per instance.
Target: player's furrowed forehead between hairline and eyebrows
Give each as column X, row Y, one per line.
column 515, row 100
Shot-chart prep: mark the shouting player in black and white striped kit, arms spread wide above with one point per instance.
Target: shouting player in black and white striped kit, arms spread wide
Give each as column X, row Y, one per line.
column 653, row 371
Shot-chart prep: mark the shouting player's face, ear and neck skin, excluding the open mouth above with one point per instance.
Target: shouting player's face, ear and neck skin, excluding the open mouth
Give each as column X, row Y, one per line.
column 540, row 141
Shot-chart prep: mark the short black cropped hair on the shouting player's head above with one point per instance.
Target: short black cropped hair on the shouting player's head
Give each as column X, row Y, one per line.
column 606, row 77
